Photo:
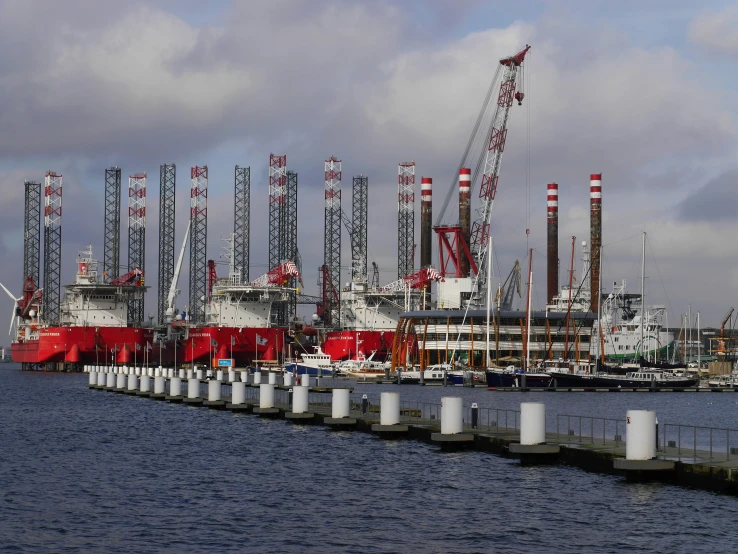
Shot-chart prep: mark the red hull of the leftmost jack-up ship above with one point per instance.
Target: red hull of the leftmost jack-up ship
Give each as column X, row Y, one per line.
column 85, row 345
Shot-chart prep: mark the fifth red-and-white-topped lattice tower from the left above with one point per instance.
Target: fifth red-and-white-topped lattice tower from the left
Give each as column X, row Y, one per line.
column 332, row 243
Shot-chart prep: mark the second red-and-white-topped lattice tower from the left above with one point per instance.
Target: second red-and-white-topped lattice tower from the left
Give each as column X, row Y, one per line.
column 137, row 239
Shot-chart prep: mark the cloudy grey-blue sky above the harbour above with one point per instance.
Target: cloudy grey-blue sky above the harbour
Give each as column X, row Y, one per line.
column 642, row 92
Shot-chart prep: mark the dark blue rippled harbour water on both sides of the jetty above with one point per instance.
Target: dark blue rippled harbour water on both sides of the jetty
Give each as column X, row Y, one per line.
column 84, row 470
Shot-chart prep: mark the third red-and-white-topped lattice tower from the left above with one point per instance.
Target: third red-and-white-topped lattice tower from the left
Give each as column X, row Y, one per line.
column 198, row 243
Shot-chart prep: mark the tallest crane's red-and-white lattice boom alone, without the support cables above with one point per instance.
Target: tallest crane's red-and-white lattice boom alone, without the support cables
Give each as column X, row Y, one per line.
column 480, row 231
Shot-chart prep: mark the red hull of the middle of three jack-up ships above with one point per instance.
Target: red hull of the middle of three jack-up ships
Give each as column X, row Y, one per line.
column 241, row 344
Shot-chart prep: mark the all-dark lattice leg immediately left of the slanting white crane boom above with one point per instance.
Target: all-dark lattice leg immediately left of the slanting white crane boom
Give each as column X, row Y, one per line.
column 167, row 183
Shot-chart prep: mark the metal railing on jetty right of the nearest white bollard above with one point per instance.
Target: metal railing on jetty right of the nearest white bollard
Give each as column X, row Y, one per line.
column 697, row 442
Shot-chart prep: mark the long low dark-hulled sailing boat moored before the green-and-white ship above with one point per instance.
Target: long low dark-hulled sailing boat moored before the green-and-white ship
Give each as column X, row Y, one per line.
column 642, row 379
